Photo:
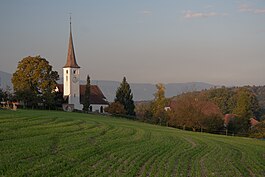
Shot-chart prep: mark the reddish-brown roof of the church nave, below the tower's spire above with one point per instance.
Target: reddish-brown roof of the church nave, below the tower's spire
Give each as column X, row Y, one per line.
column 96, row 95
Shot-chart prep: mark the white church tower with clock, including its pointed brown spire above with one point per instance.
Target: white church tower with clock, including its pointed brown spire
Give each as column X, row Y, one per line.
column 71, row 76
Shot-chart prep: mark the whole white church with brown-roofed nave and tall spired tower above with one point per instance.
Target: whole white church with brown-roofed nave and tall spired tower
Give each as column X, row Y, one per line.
column 71, row 88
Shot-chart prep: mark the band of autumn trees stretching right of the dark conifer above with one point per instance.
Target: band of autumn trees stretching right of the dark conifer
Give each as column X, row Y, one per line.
column 204, row 110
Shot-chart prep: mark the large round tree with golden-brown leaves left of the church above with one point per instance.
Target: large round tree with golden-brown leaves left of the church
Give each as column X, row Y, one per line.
column 34, row 81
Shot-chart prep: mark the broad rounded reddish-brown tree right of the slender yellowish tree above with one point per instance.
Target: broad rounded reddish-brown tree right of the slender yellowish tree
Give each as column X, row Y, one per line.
column 195, row 111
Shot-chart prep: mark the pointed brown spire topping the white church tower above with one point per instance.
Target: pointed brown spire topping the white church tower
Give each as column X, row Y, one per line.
column 71, row 61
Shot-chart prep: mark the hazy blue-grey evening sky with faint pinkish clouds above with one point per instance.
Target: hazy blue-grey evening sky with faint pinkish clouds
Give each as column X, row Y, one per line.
column 220, row 42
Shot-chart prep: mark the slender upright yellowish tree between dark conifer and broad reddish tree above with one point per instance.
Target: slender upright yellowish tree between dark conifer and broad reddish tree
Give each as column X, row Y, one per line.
column 158, row 105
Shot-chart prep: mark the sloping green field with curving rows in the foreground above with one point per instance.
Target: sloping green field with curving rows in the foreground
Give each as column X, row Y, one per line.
column 50, row 143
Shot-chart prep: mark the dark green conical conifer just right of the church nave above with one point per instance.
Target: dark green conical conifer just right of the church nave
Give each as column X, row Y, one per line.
column 125, row 97
